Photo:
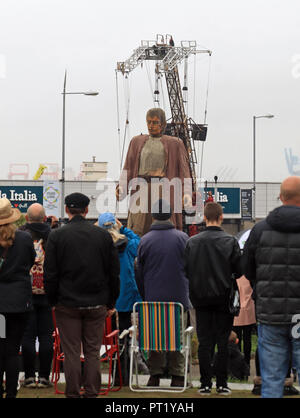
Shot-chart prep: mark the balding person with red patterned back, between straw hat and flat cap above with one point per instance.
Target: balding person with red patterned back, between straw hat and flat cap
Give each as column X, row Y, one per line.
column 40, row 324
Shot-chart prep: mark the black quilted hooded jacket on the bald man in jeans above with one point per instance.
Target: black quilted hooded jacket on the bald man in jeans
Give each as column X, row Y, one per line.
column 272, row 264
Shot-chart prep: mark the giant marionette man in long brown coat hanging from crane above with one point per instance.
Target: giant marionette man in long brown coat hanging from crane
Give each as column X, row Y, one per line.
column 156, row 166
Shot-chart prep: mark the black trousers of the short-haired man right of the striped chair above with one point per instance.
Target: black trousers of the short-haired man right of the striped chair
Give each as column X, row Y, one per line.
column 213, row 327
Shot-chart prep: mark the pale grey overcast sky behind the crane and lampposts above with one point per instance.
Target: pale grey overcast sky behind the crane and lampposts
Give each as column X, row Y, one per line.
column 255, row 70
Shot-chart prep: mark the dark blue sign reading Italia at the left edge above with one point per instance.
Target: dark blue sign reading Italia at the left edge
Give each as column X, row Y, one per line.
column 21, row 197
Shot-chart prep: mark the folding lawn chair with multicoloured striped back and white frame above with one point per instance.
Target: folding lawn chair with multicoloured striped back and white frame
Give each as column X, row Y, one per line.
column 158, row 326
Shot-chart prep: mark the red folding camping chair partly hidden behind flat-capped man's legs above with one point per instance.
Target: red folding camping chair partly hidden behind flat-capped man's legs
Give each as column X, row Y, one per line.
column 109, row 353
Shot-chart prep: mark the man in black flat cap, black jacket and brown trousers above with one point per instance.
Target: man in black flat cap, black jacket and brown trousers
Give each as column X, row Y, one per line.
column 82, row 282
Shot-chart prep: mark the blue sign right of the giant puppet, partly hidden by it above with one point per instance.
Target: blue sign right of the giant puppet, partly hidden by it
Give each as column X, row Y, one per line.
column 229, row 199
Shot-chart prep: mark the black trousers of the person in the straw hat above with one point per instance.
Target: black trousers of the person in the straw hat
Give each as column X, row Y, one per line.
column 9, row 352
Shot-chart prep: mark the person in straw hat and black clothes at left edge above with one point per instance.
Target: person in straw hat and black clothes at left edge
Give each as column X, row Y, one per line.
column 16, row 259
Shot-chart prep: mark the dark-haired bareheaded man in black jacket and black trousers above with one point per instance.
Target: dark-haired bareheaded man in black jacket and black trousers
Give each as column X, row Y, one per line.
column 211, row 258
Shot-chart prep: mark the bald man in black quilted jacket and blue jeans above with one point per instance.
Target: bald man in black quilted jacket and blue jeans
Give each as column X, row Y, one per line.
column 272, row 264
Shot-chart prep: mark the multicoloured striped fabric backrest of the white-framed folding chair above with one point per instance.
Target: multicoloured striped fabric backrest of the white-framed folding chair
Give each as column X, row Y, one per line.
column 159, row 325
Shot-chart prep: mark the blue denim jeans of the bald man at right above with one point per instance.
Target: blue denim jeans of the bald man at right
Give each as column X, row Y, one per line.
column 275, row 347
